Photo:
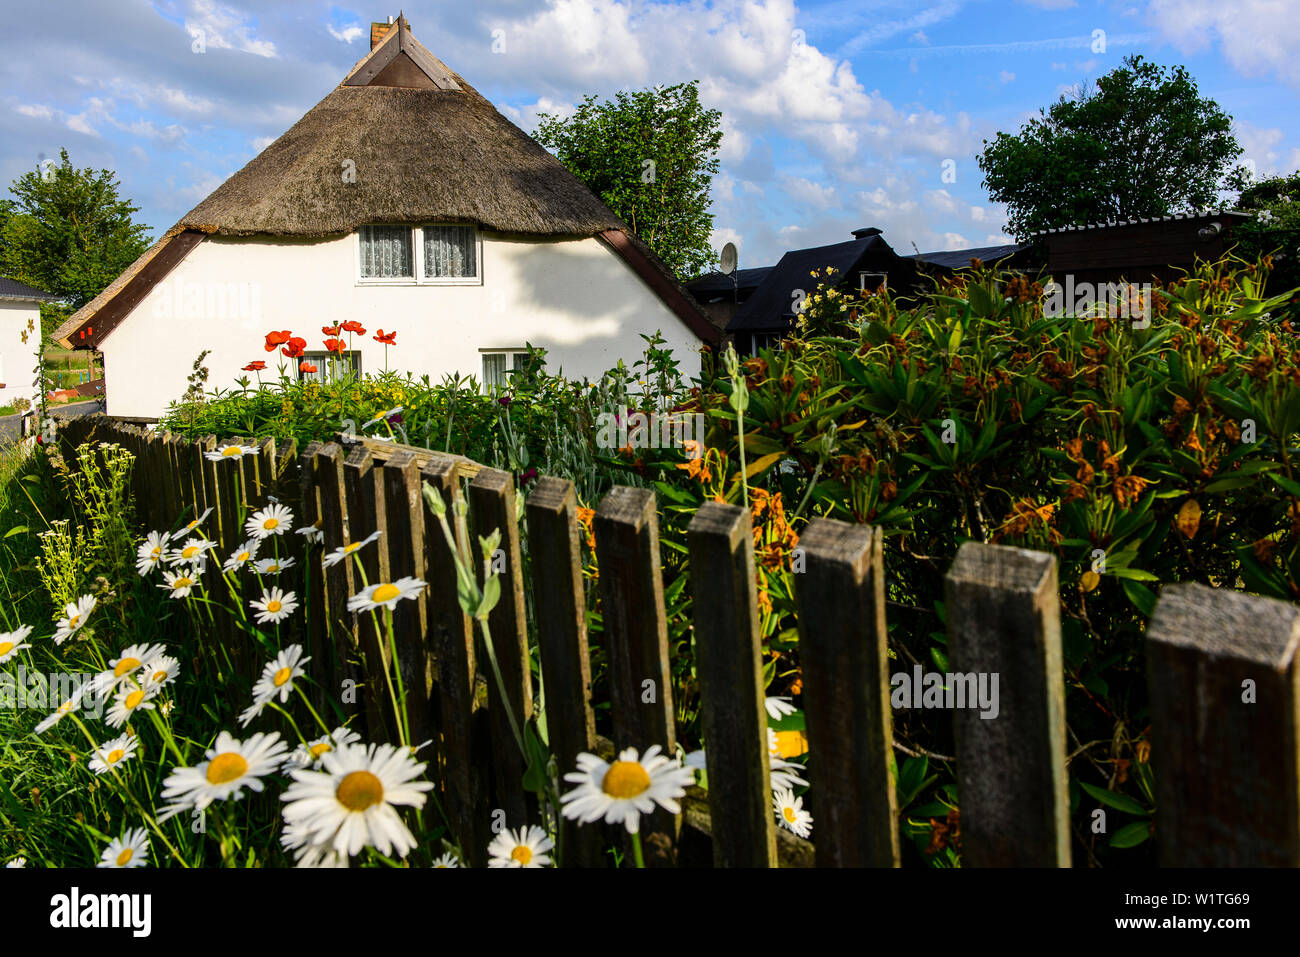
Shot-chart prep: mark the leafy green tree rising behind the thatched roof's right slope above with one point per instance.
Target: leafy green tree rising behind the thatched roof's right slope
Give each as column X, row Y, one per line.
column 651, row 155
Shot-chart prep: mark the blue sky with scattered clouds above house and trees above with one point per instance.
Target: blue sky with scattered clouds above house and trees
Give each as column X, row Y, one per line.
column 838, row 114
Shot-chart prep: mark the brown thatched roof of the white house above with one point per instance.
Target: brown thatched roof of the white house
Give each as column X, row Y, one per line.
column 424, row 145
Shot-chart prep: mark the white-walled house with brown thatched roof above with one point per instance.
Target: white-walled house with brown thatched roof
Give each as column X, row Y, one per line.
column 404, row 201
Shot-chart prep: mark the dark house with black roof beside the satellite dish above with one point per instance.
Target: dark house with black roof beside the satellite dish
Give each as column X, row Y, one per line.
column 865, row 263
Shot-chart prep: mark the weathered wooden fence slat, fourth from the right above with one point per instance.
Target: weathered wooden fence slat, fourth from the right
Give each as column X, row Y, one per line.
column 730, row 666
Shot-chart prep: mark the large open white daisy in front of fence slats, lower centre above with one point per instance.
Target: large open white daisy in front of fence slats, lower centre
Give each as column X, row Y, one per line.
column 626, row 790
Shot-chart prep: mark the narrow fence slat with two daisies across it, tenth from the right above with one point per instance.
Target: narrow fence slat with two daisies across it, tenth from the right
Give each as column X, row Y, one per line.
column 366, row 516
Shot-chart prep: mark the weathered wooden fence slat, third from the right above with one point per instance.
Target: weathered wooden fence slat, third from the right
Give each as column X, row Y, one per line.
column 844, row 653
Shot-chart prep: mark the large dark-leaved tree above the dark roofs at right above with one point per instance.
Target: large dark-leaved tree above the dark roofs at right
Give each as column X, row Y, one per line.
column 1145, row 144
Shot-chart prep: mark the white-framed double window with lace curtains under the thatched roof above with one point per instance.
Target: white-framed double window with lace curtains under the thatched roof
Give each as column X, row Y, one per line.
column 441, row 254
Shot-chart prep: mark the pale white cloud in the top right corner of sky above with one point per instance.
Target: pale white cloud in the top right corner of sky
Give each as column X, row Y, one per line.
column 1256, row 37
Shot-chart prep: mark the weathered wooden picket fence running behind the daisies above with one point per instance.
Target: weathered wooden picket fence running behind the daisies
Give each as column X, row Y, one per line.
column 1221, row 665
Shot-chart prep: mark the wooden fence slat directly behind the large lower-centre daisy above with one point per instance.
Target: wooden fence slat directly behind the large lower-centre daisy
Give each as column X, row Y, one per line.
column 636, row 642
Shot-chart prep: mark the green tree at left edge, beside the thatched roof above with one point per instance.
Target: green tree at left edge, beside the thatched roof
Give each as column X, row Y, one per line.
column 68, row 232
